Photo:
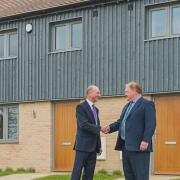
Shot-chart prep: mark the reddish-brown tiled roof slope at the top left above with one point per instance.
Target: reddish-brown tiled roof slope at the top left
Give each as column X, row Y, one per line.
column 17, row 7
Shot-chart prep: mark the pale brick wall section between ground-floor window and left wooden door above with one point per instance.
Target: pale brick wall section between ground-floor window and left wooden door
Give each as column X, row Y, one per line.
column 34, row 147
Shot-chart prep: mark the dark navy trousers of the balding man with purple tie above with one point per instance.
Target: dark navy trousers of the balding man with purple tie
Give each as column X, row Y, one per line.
column 85, row 161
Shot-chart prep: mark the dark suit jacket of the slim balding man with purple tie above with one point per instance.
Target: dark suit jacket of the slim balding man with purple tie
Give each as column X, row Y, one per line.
column 88, row 133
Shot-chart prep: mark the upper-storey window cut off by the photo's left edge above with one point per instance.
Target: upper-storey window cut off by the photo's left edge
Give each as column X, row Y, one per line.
column 8, row 45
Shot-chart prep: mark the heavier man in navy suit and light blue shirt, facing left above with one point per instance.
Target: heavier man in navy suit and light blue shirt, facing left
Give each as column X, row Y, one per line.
column 136, row 127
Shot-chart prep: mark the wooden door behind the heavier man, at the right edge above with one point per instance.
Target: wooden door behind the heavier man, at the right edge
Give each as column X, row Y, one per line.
column 167, row 136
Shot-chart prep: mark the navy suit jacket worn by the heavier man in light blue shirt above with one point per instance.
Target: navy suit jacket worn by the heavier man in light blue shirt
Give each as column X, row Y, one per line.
column 140, row 126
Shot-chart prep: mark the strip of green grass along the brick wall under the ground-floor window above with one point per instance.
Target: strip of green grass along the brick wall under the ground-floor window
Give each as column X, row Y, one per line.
column 9, row 171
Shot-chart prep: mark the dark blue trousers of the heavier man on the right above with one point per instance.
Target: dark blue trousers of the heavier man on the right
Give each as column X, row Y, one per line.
column 136, row 165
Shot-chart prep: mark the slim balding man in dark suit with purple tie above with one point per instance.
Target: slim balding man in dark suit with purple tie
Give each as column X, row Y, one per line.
column 88, row 143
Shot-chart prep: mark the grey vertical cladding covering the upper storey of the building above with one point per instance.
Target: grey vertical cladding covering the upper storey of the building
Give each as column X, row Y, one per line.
column 113, row 53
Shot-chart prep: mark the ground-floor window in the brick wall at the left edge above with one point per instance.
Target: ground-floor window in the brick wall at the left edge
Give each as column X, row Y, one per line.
column 8, row 123
